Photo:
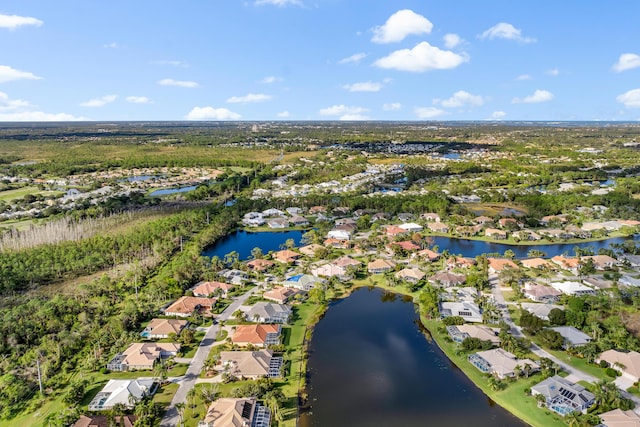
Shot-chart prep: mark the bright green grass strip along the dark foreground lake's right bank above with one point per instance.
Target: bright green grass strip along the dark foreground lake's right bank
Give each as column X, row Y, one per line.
column 512, row 397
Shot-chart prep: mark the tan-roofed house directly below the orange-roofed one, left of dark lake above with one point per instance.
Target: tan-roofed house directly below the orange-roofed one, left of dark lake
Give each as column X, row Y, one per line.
column 251, row 364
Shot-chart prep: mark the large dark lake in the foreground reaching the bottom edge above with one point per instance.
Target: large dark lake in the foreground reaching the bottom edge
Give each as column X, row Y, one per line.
column 370, row 365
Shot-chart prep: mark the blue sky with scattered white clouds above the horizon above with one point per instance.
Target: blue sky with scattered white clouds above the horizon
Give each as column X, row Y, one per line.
column 319, row 60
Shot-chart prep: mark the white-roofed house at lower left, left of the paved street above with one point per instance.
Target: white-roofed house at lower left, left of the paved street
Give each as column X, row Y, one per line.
column 122, row 391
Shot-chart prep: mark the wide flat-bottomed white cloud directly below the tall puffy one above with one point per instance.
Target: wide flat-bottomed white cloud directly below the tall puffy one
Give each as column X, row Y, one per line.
column 423, row 57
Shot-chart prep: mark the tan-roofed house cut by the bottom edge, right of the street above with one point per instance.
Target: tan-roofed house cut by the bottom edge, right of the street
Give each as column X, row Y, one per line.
column 236, row 412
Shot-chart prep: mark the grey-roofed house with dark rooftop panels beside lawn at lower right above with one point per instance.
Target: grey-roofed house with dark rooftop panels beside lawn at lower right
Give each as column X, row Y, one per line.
column 562, row 396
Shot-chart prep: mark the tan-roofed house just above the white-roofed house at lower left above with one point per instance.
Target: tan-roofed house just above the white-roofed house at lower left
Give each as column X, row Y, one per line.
column 142, row 356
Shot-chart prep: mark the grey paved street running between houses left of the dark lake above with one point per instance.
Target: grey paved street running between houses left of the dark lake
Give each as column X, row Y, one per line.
column 171, row 417
